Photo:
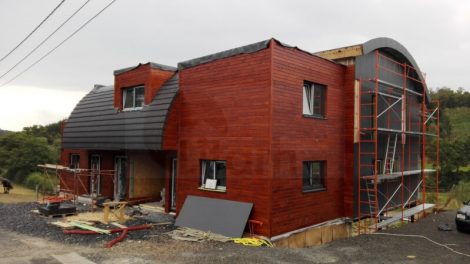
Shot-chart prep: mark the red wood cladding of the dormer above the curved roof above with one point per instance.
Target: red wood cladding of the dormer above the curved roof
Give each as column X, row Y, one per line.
column 151, row 78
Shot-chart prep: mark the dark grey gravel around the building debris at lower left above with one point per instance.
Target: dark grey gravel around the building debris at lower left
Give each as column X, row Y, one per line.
column 20, row 219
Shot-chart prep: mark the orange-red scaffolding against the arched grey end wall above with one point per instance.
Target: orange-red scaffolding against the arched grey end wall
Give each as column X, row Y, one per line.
column 397, row 144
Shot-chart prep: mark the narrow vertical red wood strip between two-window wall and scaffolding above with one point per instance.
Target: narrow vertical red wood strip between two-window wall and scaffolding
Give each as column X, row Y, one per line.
column 348, row 185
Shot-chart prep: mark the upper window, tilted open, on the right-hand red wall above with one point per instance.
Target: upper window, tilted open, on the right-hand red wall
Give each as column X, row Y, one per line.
column 314, row 99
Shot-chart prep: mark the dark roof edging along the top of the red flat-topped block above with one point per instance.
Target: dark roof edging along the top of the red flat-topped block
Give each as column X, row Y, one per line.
column 237, row 51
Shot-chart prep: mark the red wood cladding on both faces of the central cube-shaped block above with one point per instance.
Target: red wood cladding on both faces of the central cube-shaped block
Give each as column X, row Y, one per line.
column 247, row 110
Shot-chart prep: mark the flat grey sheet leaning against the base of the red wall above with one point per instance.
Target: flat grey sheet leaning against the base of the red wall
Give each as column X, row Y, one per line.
column 219, row 216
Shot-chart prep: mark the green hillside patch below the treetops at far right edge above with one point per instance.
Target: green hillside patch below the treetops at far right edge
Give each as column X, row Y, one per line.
column 459, row 119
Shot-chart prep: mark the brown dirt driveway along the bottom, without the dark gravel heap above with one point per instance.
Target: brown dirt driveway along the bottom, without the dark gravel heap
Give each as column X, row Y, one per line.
column 22, row 248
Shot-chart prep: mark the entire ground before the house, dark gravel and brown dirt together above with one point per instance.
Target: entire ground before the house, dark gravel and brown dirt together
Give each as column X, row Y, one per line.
column 152, row 246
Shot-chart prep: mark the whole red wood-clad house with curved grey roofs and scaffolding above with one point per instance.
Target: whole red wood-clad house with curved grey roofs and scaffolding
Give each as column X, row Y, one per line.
column 305, row 137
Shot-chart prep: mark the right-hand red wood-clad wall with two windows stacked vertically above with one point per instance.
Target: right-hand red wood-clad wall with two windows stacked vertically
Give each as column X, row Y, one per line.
column 296, row 138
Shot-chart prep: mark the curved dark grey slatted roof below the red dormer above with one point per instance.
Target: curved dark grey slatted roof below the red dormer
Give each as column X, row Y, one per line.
column 96, row 124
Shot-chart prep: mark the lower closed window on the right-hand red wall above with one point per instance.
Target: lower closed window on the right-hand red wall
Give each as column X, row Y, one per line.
column 313, row 176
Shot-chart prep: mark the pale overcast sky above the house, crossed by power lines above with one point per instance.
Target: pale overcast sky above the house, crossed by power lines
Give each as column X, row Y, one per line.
column 437, row 34
